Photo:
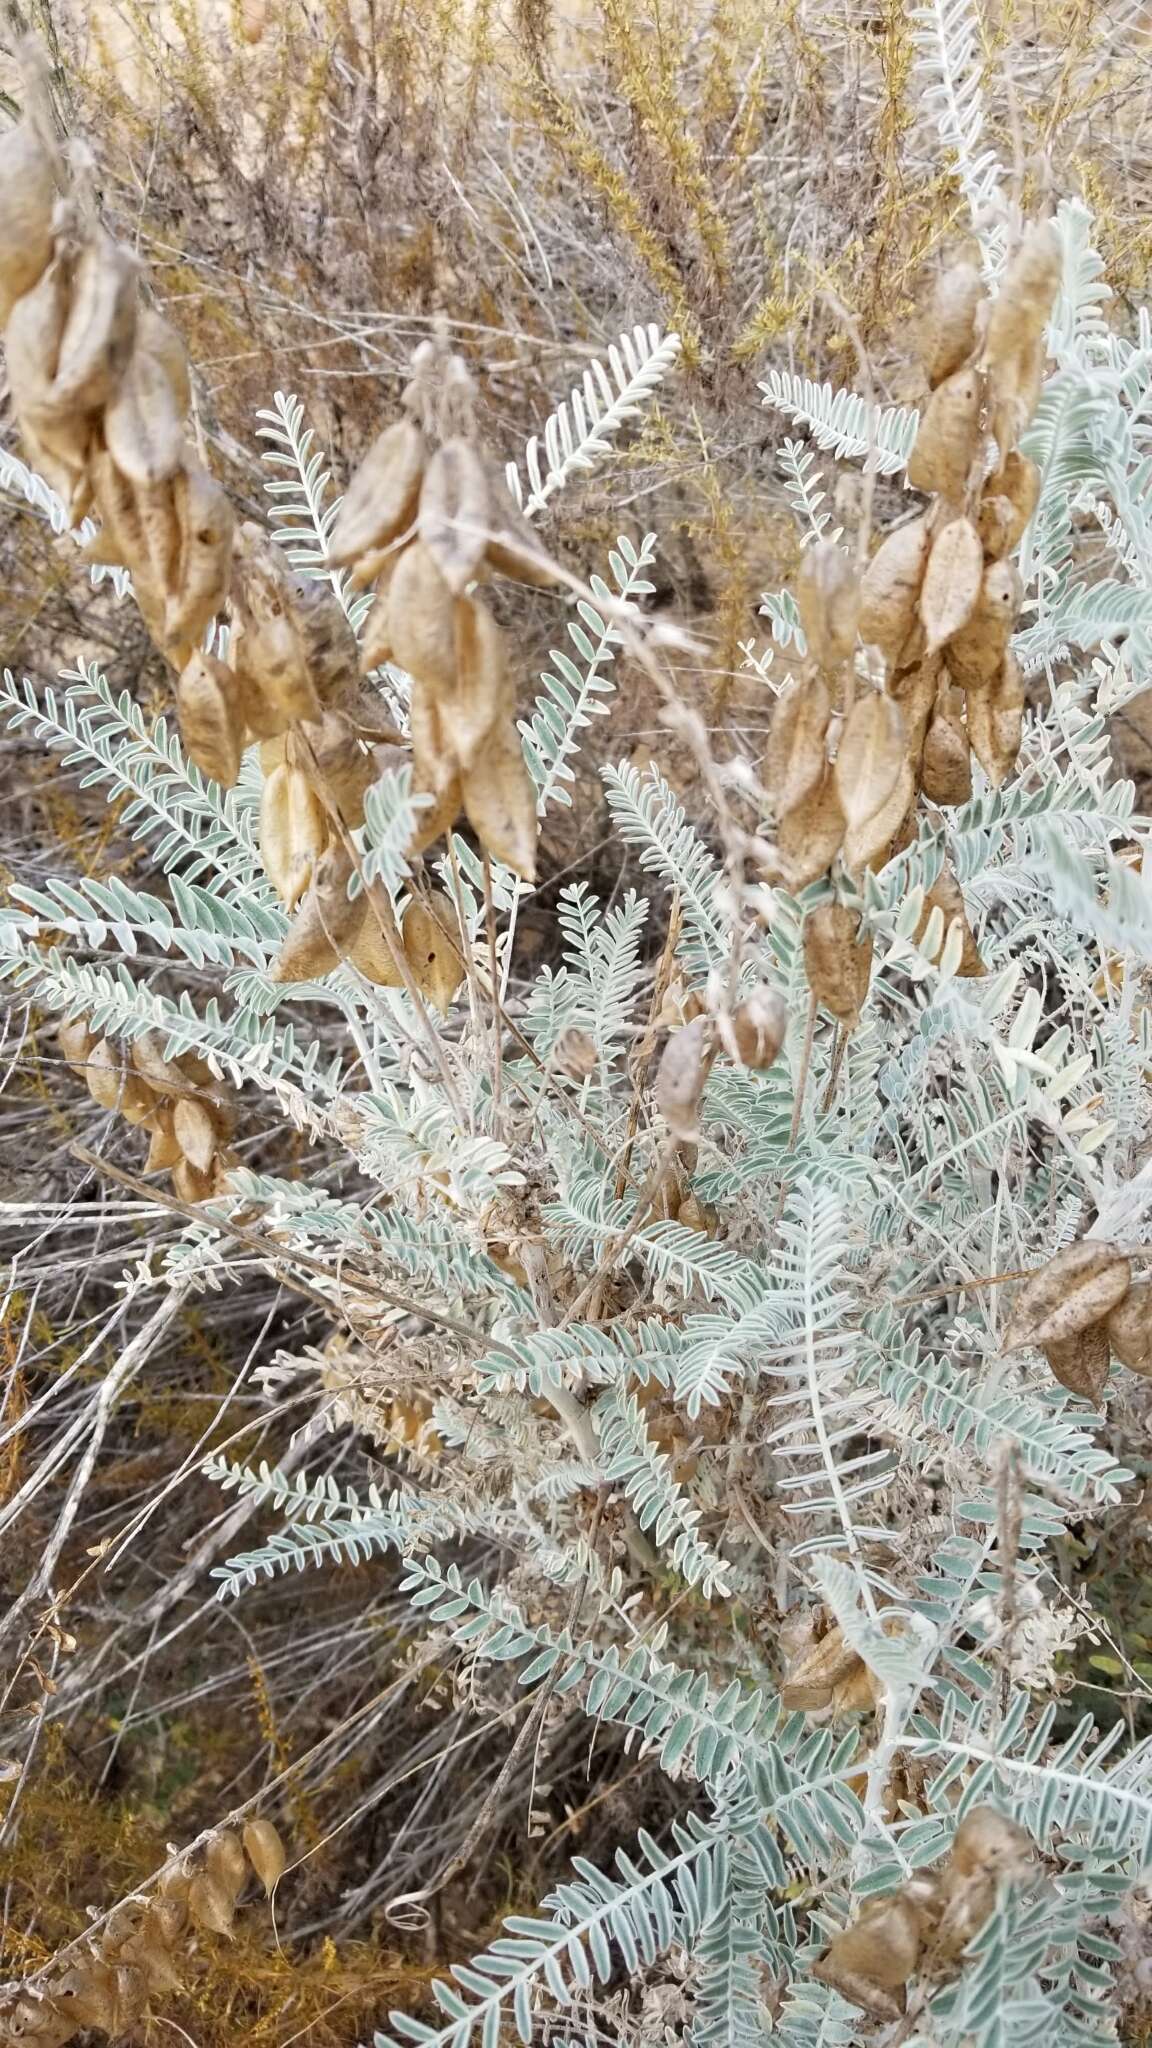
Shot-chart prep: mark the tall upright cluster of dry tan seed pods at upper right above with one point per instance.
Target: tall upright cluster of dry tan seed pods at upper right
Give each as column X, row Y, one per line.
column 938, row 605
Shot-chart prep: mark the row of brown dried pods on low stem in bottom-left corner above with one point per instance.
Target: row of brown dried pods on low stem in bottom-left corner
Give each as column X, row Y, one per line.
column 142, row 1949
